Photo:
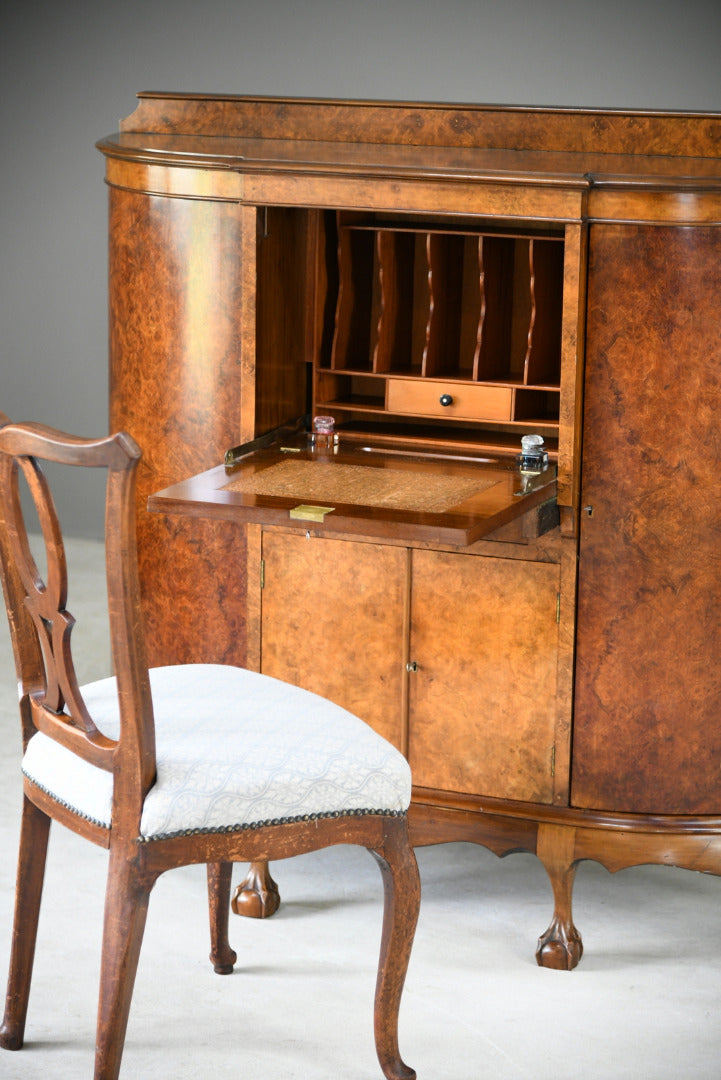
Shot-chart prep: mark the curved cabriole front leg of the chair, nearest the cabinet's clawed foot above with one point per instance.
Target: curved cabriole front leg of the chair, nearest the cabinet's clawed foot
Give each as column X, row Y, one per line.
column 402, row 892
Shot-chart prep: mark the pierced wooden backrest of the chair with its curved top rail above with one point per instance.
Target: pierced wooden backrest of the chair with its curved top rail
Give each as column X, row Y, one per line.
column 52, row 701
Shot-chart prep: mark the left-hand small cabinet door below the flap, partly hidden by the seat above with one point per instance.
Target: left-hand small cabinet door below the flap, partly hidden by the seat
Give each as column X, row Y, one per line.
column 333, row 618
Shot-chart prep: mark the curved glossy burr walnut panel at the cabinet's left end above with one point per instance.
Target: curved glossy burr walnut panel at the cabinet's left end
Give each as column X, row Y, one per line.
column 175, row 386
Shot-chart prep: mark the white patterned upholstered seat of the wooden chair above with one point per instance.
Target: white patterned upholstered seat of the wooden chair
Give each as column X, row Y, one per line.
column 235, row 749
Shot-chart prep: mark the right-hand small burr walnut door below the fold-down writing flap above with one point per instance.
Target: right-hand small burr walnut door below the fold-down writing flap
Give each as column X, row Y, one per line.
column 483, row 703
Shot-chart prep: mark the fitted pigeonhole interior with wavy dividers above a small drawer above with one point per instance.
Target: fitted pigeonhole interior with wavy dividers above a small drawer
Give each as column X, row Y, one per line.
column 419, row 308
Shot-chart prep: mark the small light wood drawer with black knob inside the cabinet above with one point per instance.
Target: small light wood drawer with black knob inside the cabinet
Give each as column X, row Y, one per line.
column 467, row 402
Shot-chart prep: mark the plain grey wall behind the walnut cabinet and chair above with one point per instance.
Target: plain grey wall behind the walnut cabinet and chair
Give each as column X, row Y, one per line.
column 71, row 71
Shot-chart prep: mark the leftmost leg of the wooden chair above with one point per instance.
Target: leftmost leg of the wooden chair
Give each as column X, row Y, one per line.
column 35, row 831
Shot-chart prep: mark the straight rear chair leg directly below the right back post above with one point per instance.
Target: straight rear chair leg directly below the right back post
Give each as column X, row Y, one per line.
column 126, row 913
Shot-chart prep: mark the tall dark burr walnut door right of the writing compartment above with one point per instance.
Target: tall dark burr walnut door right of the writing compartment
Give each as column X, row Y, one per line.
column 647, row 734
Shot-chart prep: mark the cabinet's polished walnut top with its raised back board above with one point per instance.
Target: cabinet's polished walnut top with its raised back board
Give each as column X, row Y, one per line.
column 576, row 147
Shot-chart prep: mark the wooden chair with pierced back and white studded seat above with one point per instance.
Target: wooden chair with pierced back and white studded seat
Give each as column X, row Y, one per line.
column 193, row 764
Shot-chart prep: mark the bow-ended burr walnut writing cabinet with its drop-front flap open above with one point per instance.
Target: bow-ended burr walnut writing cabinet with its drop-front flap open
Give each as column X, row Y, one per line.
column 442, row 280
